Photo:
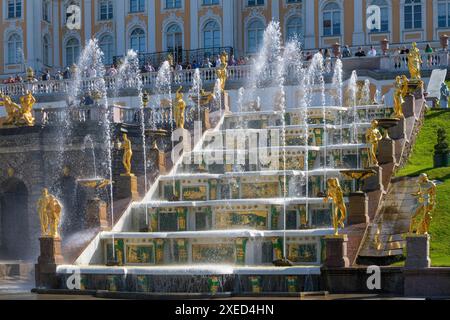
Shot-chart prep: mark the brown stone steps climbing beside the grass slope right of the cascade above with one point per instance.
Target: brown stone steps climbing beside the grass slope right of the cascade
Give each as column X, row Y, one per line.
column 383, row 240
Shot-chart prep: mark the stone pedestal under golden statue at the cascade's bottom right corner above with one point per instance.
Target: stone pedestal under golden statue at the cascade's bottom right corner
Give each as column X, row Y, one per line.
column 336, row 251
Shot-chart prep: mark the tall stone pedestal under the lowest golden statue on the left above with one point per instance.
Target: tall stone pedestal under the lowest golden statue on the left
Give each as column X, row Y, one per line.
column 50, row 257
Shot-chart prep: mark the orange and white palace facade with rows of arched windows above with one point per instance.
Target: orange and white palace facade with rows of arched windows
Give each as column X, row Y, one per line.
column 35, row 32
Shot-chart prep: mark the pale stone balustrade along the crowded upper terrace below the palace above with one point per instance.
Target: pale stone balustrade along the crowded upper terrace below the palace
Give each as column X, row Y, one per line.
column 236, row 74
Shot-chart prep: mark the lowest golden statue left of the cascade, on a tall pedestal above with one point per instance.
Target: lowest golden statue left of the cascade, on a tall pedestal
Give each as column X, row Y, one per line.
column 49, row 210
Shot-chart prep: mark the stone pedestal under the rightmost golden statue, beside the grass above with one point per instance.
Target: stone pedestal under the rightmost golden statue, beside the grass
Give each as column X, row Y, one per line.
column 417, row 252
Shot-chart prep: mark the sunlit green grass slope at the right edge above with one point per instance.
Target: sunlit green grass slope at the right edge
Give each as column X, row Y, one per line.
column 421, row 161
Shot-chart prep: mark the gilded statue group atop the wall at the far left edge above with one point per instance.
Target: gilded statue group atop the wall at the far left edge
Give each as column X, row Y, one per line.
column 18, row 115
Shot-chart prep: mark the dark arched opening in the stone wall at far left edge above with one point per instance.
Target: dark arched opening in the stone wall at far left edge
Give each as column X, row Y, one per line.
column 14, row 228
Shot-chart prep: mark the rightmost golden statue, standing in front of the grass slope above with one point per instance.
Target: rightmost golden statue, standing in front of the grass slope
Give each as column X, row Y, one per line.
column 426, row 196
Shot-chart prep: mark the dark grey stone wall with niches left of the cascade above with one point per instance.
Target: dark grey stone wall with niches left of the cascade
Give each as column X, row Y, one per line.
column 34, row 157
